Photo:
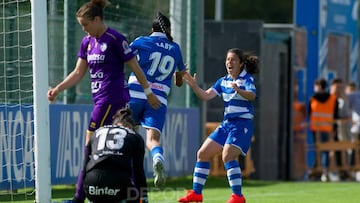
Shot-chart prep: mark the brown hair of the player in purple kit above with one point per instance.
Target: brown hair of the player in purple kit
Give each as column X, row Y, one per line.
column 92, row 9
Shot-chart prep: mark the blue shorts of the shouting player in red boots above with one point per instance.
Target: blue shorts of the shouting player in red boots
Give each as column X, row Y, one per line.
column 237, row 132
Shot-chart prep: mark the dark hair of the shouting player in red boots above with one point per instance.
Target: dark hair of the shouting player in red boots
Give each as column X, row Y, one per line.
column 251, row 62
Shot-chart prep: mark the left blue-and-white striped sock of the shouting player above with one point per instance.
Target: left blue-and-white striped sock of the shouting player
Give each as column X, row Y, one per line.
column 201, row 173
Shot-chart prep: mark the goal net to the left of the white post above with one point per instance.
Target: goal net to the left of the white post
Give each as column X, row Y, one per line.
column 16, row 100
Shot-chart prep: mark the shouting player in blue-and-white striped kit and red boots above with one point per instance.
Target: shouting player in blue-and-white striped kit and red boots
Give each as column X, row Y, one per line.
column 233, row 135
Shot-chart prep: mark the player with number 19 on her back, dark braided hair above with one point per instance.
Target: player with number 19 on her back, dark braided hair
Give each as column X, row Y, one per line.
column 161, row 59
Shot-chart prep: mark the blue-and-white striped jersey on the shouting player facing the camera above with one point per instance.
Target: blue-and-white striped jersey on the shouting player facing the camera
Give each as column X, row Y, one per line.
column 236, row 106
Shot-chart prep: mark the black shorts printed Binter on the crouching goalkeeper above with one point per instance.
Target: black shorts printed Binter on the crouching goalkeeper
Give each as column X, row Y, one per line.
column 111, row 186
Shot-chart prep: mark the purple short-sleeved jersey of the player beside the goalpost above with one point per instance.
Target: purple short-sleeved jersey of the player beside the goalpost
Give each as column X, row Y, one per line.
column 106, row 57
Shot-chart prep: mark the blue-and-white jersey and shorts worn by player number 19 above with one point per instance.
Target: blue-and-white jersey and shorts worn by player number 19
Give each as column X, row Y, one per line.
column 159, row 58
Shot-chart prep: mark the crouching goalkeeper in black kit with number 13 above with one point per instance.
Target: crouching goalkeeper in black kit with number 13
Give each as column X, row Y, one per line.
column 114, row 170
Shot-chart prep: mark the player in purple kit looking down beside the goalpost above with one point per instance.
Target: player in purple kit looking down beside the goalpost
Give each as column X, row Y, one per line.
column 103, row 52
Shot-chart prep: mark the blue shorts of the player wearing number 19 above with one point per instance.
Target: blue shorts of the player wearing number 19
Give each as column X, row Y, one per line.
column 146, row 116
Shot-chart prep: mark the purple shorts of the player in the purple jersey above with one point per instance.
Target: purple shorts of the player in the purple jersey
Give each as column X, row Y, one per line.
column 102, row 114
